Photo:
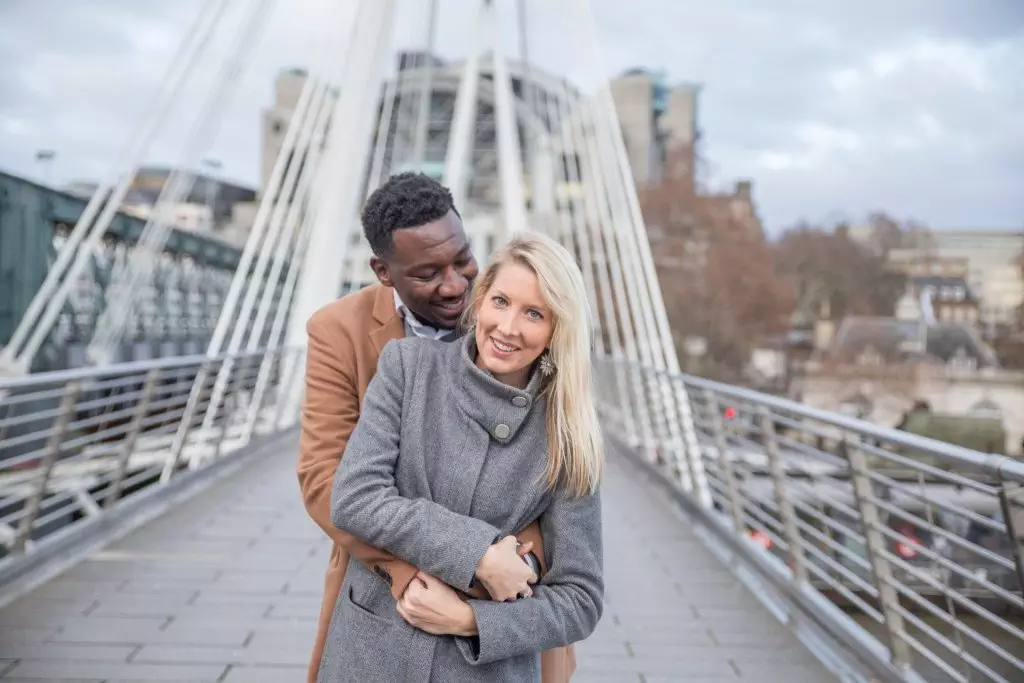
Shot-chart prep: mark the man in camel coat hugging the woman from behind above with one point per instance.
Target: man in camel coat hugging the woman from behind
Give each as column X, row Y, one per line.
column 425, row 270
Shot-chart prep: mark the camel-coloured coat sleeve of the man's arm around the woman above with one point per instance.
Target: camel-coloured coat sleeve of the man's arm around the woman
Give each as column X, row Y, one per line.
column 330, row 410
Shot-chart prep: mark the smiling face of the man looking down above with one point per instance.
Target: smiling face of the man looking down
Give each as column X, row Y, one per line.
column 433, row 269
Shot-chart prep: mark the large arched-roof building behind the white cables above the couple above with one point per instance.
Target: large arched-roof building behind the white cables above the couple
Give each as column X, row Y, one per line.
column 534, row 93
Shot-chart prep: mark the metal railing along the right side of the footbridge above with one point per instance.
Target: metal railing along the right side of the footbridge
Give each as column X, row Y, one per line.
column 920, row 542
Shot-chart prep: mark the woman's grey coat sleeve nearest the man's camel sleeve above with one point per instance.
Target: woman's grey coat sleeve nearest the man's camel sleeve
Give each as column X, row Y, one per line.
column 366, row 501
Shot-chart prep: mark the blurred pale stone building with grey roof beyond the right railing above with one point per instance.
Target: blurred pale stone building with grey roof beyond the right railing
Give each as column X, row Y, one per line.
column 885, row 369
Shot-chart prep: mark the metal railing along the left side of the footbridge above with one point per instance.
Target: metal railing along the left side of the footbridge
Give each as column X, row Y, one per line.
column 74, row 445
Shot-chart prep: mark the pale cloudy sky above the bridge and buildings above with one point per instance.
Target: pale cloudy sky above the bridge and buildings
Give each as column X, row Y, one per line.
column 833, row 108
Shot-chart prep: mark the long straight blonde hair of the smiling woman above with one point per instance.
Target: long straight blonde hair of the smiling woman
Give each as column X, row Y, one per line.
column 576, row 448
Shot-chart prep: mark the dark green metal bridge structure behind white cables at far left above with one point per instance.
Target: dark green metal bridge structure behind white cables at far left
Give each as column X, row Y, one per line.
column 178, row 310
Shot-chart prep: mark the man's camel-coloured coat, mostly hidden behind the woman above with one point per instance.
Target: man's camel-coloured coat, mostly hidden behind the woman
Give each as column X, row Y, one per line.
column 346, row 341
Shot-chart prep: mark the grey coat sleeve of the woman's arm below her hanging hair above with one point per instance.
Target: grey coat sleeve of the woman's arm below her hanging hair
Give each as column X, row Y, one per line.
column 569, row 602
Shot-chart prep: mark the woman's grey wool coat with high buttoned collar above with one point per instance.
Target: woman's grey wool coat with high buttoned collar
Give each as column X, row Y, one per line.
column 444, row 462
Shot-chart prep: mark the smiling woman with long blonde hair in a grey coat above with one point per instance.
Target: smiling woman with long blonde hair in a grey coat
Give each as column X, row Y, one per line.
column 457, row 446
